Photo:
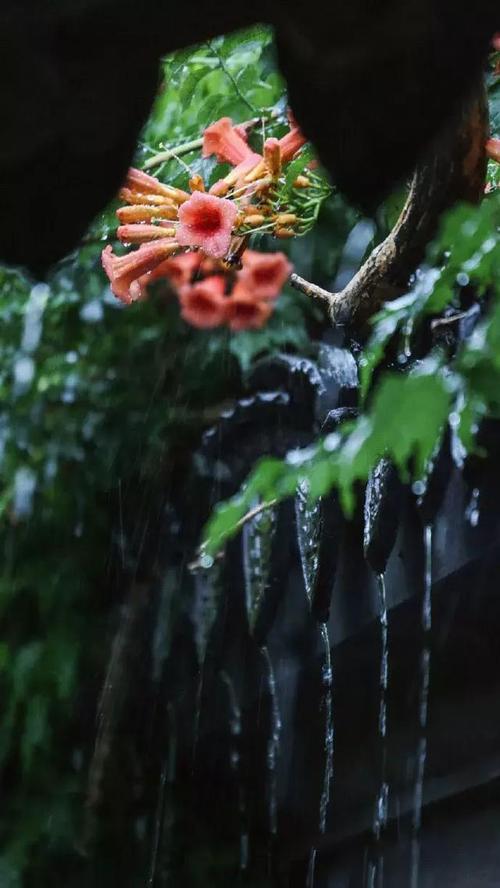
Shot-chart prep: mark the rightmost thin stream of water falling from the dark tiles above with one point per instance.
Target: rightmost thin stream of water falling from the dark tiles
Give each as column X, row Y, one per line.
column 425, row 663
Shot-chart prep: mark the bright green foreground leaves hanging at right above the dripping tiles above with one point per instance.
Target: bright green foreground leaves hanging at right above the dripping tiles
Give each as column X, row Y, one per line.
column 407, row 412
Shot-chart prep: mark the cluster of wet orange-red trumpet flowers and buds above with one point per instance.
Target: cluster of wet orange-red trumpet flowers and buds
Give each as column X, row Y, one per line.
column 198, row 239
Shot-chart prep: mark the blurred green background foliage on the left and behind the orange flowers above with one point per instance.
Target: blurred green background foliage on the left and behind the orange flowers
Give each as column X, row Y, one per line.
column 98, row 400
